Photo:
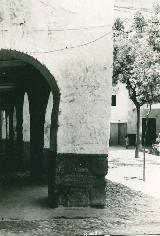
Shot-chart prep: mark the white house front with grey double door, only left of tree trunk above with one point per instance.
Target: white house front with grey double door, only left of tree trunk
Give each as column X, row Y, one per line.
column 123, row 117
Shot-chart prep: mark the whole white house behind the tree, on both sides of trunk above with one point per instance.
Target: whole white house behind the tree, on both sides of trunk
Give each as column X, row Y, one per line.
column 123, row 119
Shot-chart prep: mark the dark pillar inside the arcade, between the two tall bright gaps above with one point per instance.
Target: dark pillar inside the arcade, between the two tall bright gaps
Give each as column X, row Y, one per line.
column 38, row 97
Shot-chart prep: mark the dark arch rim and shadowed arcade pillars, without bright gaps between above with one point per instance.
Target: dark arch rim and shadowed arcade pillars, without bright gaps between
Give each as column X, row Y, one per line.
column 23, row 73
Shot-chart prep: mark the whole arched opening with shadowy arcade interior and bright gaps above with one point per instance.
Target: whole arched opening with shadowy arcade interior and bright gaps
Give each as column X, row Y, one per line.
column 28, row 94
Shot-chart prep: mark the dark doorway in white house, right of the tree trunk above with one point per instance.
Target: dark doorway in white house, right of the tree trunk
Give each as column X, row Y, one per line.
column 151, row 131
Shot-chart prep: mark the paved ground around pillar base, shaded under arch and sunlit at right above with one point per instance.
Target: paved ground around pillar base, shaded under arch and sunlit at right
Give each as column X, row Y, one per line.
column 24, row 210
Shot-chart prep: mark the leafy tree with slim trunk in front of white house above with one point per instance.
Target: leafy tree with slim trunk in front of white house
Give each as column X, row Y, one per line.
column 137, row 65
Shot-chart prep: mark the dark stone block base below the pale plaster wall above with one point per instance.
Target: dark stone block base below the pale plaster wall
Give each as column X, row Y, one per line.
column 78, row 180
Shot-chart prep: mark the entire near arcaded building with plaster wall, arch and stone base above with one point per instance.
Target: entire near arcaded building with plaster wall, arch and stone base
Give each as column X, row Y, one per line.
column 57, row 56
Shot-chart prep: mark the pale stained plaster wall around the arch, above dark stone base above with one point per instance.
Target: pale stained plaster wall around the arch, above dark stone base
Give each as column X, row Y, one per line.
column 52, row 32
